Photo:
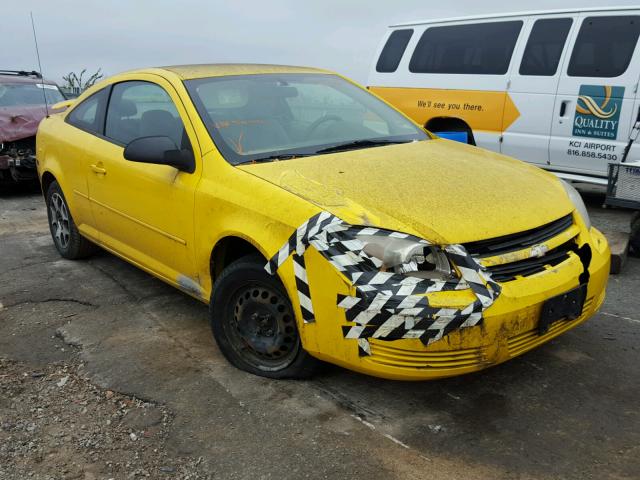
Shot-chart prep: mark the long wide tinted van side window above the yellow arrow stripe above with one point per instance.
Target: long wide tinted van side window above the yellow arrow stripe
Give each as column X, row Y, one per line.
column 475, row 49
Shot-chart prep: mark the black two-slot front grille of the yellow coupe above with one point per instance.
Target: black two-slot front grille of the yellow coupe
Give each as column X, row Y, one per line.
column 519, row 241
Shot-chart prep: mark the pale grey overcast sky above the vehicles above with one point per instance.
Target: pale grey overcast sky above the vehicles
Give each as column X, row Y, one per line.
column 340, row 35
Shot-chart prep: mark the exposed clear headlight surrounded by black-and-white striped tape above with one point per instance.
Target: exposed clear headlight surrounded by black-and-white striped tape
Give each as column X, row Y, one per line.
column 408, row 257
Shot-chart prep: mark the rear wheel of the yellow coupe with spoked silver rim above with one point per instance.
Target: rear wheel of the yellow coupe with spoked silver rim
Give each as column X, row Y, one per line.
column 66, row 237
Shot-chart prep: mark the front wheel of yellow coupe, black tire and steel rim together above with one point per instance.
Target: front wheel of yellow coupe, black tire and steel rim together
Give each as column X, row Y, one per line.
column 253, row 322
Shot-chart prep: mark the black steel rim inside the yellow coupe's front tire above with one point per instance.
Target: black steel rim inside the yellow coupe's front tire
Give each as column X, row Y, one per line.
column 262, row 330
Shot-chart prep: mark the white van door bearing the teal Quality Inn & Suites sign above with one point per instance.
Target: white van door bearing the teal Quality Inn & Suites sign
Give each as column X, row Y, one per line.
column 594, row 105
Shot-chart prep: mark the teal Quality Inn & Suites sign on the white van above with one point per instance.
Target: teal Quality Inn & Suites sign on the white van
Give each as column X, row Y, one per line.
column 598, row 111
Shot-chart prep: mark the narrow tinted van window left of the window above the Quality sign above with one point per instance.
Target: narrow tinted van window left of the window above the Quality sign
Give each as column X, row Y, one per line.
column 545, row 45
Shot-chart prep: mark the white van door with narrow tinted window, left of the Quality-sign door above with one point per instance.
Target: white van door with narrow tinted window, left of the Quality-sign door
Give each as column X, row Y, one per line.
column 533, row 87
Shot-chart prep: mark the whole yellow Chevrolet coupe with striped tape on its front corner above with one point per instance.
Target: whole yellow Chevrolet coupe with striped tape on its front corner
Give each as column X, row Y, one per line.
column 318, row 222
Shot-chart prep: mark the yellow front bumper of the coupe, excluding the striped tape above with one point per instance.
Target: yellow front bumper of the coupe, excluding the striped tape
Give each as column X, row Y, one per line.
column 509, row 327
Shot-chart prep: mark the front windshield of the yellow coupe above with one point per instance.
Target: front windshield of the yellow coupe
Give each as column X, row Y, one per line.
column 278, row 116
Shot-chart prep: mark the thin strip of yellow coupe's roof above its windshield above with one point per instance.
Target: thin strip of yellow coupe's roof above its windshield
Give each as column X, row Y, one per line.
column 188, row 72
